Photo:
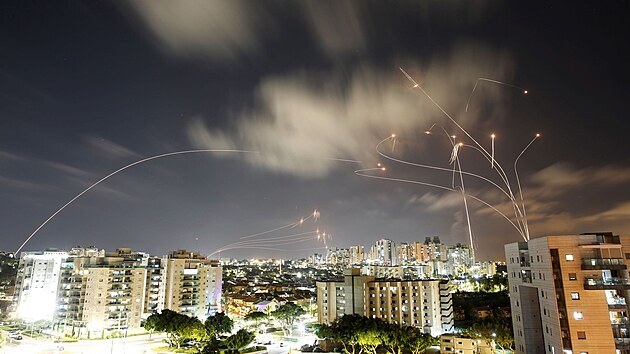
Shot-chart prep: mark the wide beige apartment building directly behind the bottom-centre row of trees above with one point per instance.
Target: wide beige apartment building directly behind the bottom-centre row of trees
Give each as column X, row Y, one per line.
column 421, row 303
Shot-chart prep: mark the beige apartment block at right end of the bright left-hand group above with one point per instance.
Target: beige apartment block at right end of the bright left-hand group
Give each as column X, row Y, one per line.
column 191, row 284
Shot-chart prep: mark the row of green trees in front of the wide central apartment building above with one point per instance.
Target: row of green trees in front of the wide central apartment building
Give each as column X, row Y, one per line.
column 358, row 334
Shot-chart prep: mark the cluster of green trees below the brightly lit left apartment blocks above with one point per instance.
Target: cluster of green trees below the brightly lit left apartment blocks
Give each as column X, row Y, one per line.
column 204, row 336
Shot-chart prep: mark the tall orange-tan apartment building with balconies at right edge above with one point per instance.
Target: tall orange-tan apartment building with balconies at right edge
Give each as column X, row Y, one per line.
column 569, row 293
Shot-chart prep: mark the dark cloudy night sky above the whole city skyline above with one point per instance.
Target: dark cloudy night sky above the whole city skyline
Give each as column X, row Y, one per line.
column 87, row 87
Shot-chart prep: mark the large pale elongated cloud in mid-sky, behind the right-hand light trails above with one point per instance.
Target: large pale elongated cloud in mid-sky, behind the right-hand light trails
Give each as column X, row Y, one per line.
column 302, row 120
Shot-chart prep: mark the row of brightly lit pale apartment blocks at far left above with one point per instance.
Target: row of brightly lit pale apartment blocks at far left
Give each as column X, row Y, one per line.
column 88, row 288
